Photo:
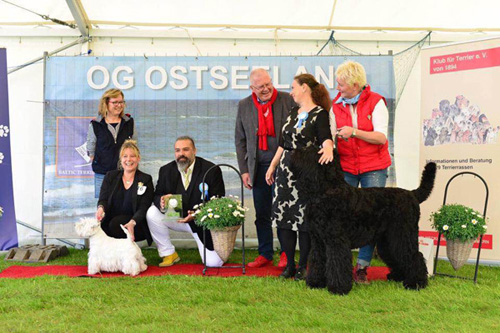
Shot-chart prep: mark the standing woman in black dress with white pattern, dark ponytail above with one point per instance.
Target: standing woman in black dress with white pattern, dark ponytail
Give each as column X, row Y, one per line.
column 307, row 124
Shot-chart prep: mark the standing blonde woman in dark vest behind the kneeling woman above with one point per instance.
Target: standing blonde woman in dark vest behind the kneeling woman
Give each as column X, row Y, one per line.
column 107, row 133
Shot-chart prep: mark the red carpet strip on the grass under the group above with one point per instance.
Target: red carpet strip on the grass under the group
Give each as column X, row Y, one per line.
column 17, row 272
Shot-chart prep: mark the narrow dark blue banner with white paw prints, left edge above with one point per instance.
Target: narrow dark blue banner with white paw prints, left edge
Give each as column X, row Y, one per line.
column 8, row 228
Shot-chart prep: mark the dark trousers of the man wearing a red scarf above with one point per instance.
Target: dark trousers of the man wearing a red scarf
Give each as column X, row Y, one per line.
column 263, row 202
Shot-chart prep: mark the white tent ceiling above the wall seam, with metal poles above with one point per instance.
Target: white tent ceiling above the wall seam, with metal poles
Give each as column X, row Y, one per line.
column 127, row 16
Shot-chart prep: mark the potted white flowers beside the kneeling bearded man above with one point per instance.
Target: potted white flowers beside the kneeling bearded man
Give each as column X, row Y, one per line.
column 223, row 217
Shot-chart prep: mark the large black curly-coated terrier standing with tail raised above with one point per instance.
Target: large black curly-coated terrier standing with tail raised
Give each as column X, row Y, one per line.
column 341, row 217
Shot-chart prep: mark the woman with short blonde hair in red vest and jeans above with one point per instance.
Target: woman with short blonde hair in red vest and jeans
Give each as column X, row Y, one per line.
column 360, row 117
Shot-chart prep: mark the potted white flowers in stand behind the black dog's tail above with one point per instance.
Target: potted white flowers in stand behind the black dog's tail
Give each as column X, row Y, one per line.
column 461, row 226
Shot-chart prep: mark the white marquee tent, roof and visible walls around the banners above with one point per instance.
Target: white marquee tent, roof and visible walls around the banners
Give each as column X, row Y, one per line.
column 204, row 28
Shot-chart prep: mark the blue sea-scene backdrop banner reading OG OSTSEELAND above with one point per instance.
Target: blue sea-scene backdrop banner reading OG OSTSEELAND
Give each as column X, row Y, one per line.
column 168, row 97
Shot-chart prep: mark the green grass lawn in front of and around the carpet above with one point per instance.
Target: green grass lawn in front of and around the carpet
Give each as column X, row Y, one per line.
column 186, row 303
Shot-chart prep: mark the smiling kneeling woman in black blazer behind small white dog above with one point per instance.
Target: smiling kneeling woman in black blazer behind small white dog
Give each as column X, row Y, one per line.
column 125, row 197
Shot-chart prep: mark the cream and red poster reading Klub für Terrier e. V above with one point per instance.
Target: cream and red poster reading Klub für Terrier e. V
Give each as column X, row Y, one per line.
column 460, row 123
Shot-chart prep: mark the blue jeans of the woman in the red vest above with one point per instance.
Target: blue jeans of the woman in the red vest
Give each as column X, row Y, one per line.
column 376, row 178
